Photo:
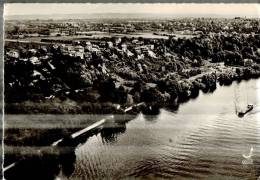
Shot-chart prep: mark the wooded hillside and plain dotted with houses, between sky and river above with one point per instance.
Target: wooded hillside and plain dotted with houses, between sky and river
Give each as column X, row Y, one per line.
column 84, row 63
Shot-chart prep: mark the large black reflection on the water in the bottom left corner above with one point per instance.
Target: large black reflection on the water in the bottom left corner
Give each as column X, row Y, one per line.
column 45, row 164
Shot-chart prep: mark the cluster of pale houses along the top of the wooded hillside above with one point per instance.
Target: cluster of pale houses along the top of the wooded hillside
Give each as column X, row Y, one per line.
column 85, row 49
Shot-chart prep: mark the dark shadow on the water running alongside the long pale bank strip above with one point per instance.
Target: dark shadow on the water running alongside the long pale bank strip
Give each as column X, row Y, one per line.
column 48, row 162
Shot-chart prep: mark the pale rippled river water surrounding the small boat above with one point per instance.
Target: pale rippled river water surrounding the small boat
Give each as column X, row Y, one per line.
column 202, row 139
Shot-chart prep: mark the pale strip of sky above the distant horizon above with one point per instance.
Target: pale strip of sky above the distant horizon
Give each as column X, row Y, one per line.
column 16, row 9
